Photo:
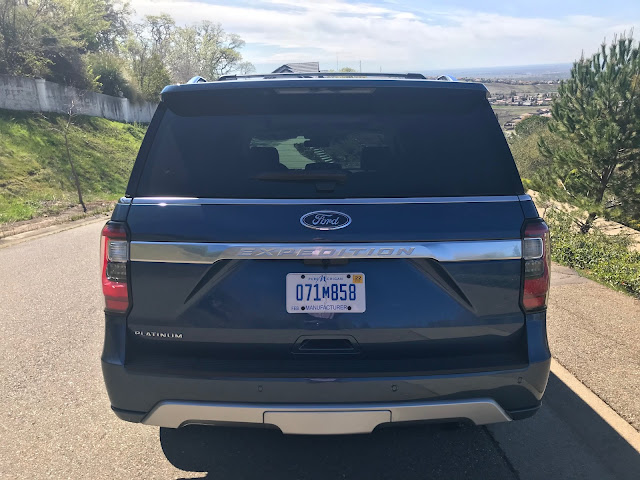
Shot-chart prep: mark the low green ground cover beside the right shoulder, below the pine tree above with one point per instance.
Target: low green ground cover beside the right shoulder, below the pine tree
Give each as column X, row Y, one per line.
column 604, row 258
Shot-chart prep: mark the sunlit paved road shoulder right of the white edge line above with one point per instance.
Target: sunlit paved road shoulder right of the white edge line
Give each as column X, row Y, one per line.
column 595, row 333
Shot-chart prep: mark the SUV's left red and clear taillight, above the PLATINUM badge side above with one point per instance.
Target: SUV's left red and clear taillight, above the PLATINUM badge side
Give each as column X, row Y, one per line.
column 114, row 252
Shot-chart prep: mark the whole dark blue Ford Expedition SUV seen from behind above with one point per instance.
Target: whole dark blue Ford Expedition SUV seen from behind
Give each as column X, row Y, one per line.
column 325, row 255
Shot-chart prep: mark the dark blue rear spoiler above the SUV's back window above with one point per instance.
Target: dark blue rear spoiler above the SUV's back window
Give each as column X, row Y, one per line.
column 247, row 97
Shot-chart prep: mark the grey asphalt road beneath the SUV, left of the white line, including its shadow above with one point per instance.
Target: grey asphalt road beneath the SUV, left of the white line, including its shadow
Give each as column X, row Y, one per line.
column 55, row 420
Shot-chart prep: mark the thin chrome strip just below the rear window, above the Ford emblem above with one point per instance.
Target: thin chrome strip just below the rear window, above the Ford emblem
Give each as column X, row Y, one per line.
column 184, row 201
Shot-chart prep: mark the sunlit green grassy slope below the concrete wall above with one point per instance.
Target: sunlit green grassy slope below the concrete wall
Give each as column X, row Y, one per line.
column 35, row 177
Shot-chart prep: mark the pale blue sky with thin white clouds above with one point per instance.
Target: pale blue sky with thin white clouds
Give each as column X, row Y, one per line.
column 412, row 35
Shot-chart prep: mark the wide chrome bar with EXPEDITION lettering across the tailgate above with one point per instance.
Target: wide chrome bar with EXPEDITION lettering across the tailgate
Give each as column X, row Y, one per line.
column 208, row 253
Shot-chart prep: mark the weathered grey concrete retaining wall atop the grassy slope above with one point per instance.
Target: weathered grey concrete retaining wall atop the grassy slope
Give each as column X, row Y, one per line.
column 38, row 95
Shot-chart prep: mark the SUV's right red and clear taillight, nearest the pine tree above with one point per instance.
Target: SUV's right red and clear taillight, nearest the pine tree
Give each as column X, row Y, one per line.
column 537, row 264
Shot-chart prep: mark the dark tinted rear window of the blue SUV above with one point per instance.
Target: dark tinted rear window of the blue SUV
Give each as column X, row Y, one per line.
column 331, row 146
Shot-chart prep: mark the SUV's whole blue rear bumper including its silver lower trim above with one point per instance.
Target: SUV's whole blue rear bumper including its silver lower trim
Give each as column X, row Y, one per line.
column 358, row 403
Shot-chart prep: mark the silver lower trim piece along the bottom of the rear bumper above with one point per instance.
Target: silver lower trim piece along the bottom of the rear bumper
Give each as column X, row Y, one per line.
column 323, row 419
